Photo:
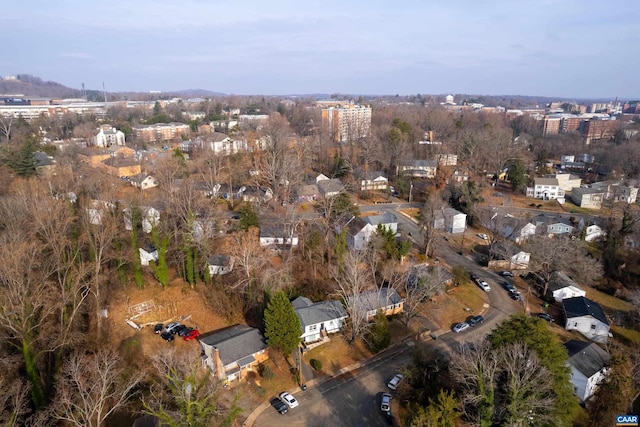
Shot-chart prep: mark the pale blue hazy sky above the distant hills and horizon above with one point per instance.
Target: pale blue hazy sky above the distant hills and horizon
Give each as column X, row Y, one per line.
column 570, row 48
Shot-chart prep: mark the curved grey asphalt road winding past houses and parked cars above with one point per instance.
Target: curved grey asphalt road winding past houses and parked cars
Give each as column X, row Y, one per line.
column 353, row 399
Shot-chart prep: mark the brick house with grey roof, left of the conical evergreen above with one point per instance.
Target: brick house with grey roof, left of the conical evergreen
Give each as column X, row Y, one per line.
column 231, row 351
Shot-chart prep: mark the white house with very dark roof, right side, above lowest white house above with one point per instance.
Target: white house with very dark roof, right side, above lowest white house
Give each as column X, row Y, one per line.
column 586, row 317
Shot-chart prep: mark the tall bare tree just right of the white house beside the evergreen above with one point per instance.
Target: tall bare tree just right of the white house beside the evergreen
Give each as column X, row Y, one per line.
column 351, row 281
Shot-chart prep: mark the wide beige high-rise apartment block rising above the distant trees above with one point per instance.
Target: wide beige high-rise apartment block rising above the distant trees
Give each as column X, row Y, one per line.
column 347, row 123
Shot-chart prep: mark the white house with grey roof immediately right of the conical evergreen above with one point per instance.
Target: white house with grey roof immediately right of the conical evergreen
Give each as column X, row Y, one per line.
column 320, row 318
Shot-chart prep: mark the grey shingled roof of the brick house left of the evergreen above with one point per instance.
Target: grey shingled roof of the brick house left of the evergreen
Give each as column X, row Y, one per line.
column 234, row 342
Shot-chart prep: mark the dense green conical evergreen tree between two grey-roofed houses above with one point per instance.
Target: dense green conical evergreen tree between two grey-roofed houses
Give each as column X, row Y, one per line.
column 282, row 324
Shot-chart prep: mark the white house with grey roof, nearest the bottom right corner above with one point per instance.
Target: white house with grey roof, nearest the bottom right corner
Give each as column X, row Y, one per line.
column 589, row 366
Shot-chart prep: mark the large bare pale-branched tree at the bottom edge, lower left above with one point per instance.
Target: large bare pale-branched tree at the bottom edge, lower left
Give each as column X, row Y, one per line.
column 91, row 387
